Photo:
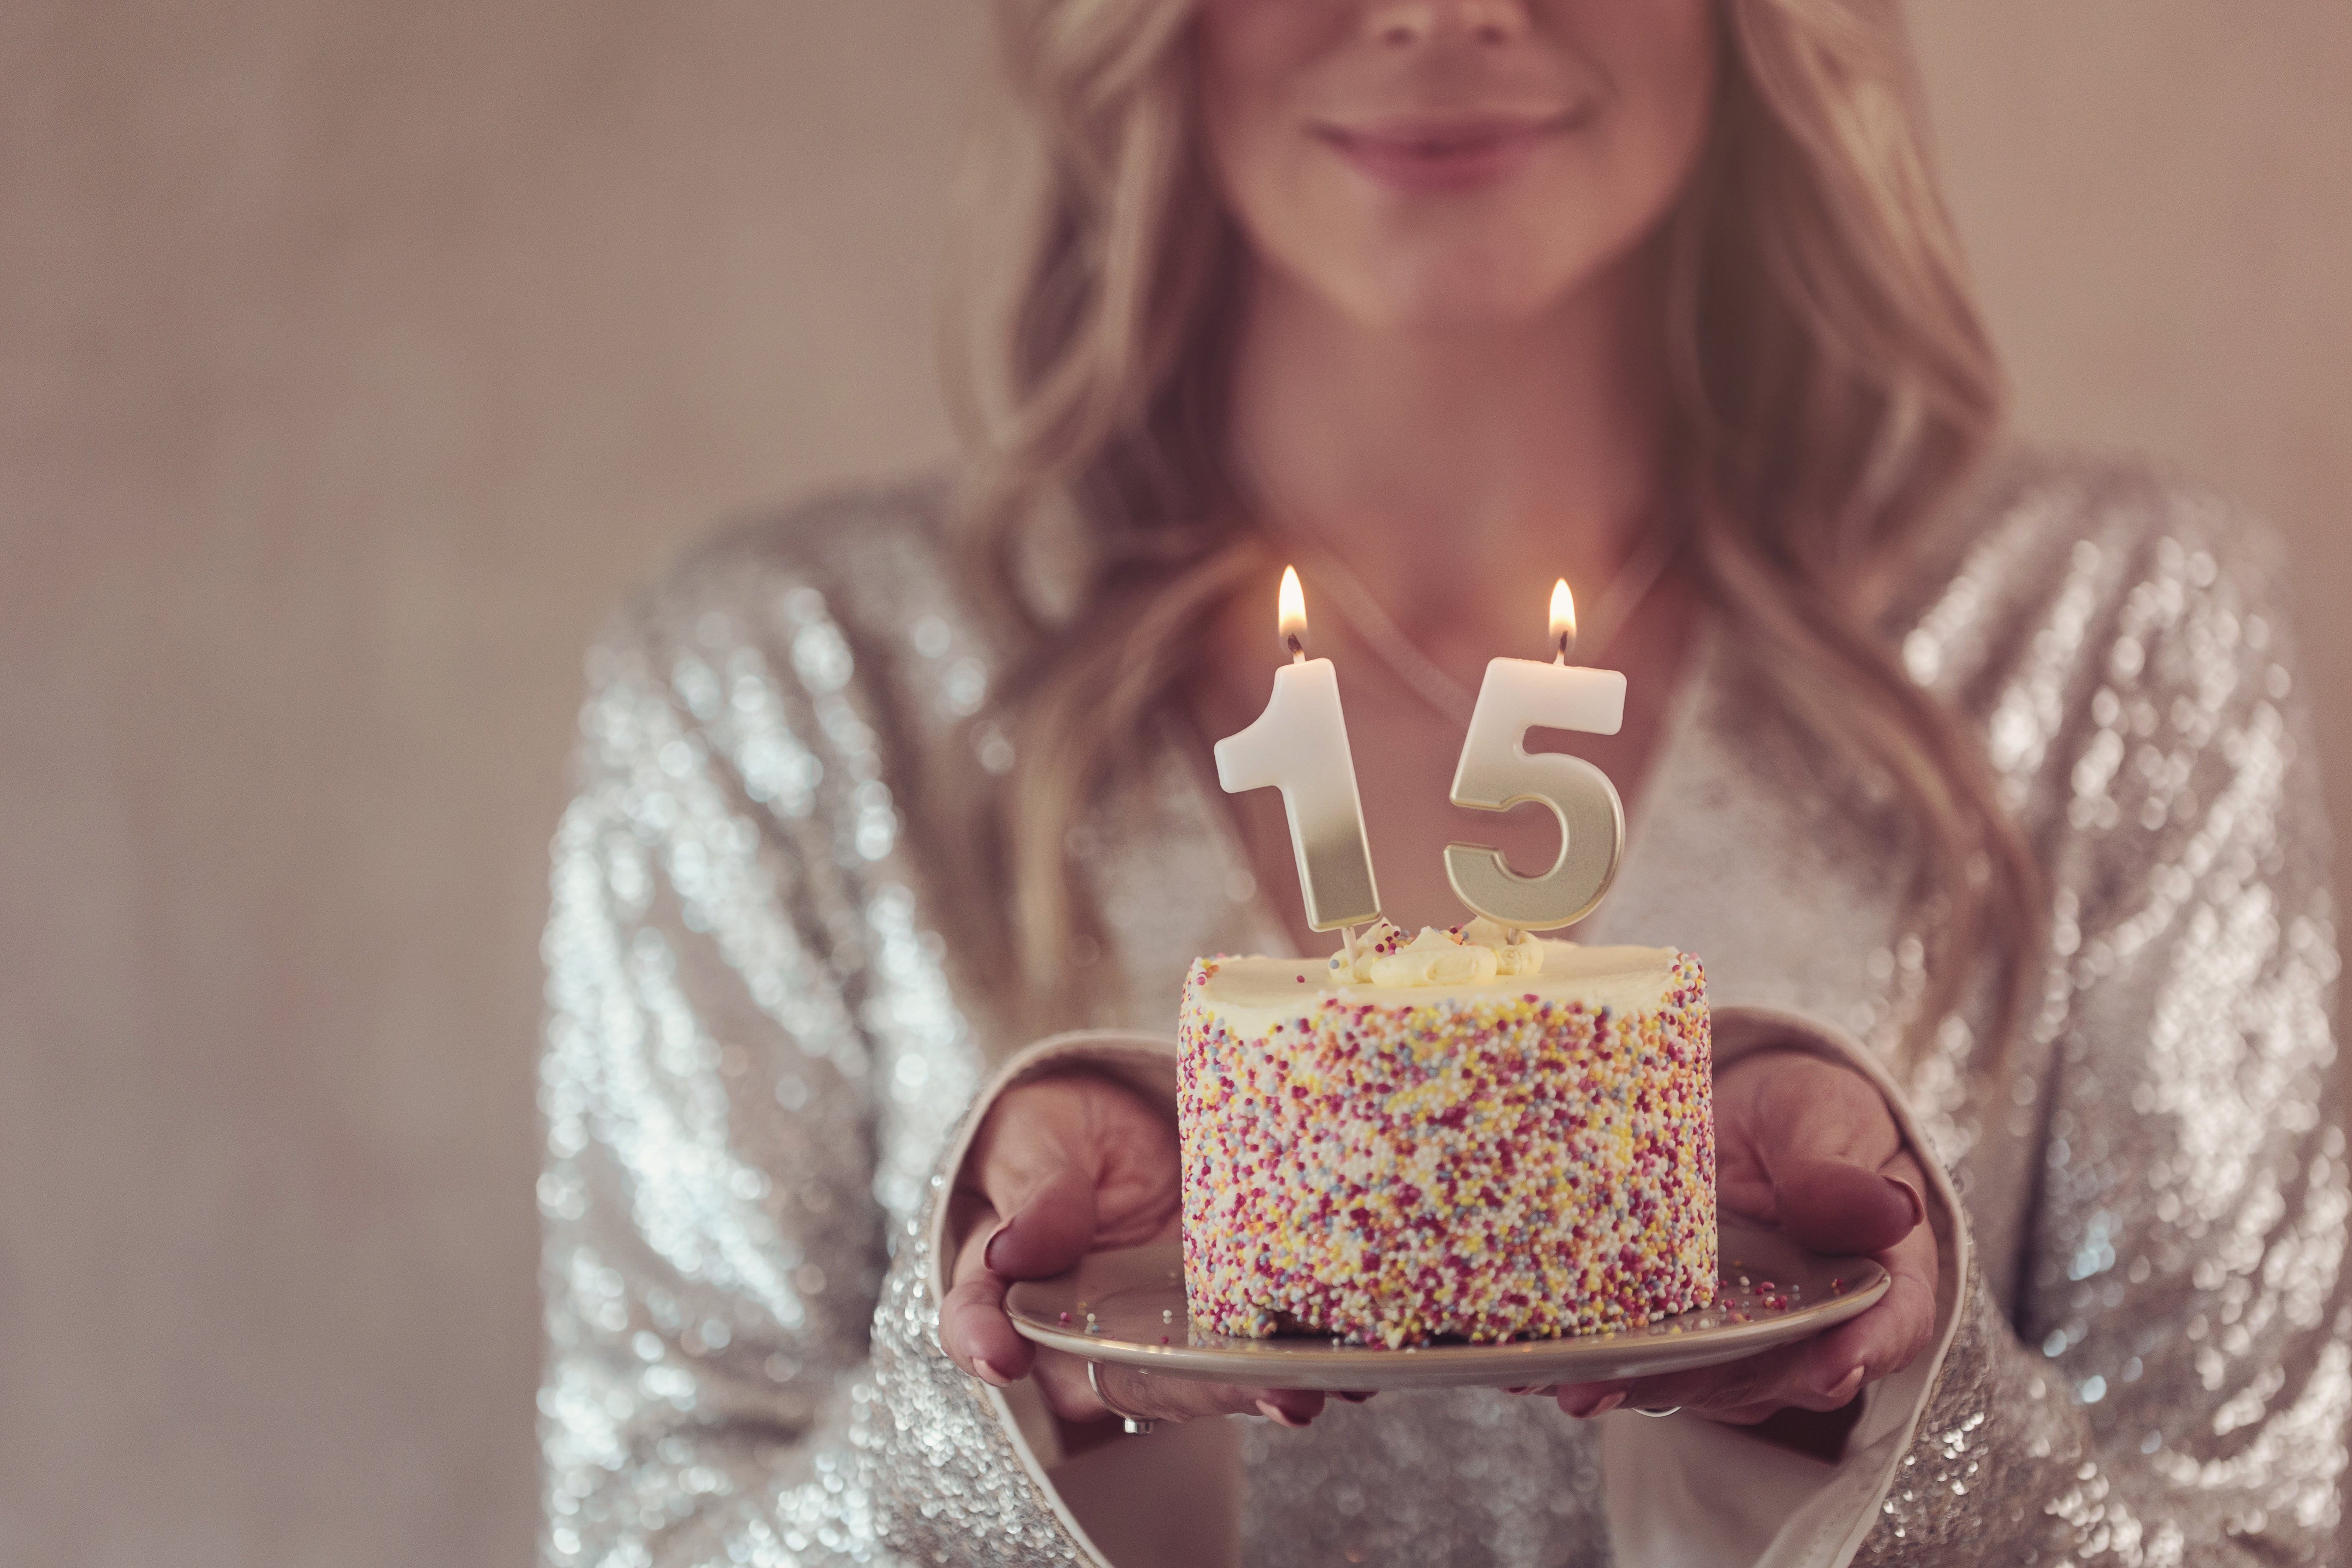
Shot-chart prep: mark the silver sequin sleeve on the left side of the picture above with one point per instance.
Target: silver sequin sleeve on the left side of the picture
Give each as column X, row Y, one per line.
column 754, row 1061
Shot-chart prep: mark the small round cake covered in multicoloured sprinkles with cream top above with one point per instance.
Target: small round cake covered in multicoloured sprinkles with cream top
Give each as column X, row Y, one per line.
column 1469, row 1134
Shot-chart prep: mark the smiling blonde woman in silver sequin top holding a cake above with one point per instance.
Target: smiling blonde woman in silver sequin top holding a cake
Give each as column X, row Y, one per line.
column 1975, row 782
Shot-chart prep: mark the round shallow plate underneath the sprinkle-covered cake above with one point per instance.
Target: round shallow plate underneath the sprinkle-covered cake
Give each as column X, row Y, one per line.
column 1140, row 1318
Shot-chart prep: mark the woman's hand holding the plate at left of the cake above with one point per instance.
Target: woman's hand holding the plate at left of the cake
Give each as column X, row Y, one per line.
column 1067, row 1167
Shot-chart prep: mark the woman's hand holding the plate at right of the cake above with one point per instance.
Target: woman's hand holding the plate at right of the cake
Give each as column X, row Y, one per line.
column 1808, row 1148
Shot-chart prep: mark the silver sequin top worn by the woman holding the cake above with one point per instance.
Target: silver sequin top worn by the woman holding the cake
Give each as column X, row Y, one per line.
column 756, row 1052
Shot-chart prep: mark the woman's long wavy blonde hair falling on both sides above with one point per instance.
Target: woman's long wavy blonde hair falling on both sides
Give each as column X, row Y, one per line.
column 1833, row 387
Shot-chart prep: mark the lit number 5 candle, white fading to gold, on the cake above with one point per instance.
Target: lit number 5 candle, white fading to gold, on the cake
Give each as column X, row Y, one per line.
column 1497, row 772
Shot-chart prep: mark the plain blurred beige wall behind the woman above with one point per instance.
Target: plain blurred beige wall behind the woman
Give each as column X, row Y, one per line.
column 359, row 354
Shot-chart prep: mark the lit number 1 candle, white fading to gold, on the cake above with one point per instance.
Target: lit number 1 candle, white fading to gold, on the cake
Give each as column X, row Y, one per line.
column 1299, row 746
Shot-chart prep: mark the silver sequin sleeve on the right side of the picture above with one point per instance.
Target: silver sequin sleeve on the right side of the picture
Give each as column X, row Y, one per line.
column 2170, row 1379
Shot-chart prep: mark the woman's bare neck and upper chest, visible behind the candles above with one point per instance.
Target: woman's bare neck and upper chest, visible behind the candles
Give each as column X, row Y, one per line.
column 1457, row 474
